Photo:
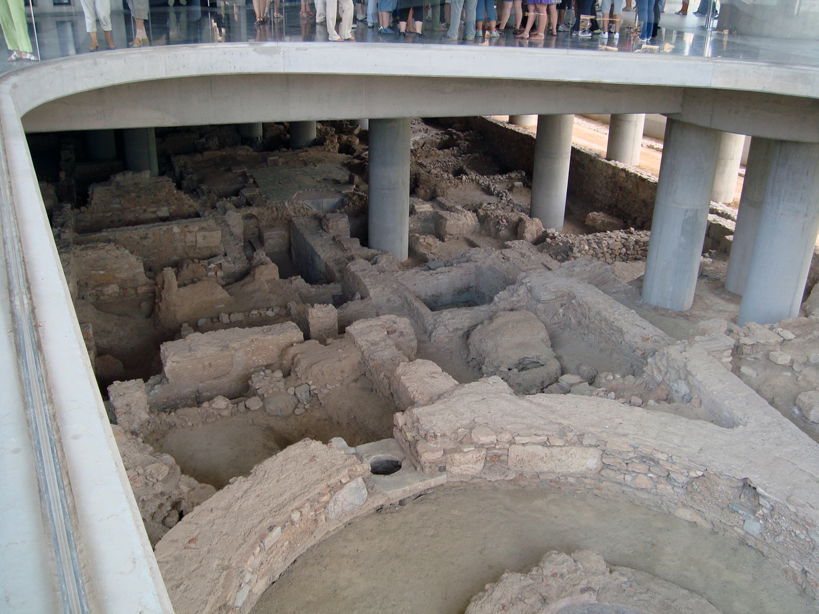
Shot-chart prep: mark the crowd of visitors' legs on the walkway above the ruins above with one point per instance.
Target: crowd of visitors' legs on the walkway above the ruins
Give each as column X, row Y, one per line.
column 452, row 19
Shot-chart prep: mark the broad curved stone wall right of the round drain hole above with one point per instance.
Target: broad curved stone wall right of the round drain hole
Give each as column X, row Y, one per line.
column 759, row 481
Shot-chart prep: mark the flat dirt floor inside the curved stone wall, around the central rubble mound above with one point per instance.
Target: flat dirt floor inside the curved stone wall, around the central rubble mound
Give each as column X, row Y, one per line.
column 432, row 555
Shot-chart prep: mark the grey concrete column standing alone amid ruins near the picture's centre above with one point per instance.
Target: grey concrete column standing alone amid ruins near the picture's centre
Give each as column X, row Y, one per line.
column 388, row 218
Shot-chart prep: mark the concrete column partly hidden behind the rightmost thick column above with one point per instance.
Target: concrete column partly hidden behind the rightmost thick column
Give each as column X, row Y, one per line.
column 750, row 210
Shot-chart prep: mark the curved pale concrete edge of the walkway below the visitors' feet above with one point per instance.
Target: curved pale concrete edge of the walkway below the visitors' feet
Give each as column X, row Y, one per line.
column 187, row 85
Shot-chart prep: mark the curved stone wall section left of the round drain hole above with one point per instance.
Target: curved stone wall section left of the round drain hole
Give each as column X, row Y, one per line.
column 223, row 555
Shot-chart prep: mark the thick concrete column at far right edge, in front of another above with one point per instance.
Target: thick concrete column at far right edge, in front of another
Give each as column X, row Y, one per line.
column 785, row 236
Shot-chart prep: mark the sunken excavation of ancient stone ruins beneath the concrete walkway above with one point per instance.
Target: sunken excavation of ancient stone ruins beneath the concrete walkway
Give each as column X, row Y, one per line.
column 326, row 406
